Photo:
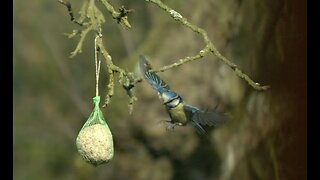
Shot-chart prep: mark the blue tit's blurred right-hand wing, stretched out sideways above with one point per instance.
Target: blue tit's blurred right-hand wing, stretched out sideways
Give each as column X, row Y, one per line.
column 205, row 117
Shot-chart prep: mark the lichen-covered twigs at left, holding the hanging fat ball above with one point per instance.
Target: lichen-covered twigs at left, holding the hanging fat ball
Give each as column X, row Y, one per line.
column 91, row 19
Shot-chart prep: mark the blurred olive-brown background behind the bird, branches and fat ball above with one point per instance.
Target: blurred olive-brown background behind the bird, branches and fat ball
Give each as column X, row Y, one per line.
column 265, row 138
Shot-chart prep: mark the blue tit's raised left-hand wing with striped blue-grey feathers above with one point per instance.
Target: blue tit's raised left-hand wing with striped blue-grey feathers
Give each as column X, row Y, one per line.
column 153, row 79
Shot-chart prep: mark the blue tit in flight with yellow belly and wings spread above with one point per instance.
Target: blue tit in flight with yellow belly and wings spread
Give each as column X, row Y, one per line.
column 180, row 113
